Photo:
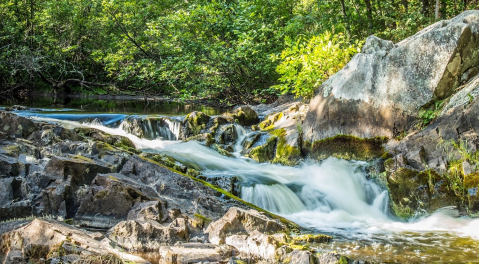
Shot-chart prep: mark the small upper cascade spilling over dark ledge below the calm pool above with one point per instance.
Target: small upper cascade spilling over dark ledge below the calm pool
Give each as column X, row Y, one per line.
column 152, row 127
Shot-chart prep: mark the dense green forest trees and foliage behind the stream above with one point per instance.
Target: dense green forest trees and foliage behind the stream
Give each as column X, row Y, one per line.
column 238, row 51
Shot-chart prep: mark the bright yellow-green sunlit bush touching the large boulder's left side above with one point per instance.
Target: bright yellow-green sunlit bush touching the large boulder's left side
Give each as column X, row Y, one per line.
column 305, row 65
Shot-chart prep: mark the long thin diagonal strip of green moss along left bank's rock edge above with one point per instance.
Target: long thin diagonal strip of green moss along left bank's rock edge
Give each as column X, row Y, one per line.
column 293, row 227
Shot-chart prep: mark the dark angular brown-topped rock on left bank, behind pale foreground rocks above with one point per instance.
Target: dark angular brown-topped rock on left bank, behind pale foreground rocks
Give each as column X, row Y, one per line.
column 110, row 199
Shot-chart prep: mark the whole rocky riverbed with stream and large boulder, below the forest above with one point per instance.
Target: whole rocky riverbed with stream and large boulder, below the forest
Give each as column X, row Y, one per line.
column 117, row 187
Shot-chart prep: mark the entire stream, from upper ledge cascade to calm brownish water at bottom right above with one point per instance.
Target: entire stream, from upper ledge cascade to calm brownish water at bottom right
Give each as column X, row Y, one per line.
column 333, row 196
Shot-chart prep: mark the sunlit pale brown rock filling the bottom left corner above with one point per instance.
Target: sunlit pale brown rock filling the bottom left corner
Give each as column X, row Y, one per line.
column 39, row 239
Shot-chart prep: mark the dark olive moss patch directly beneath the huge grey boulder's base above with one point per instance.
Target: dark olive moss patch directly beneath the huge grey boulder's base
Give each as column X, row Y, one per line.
column 347, row 147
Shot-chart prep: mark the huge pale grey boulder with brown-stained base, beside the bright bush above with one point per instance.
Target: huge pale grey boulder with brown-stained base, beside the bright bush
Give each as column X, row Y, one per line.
column 379, row 92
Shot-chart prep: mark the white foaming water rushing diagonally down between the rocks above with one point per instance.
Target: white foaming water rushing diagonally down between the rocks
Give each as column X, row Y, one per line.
column 331, row 196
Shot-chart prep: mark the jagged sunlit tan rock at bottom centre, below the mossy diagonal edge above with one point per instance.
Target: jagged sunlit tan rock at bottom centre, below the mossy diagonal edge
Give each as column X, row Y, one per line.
column 241, row 222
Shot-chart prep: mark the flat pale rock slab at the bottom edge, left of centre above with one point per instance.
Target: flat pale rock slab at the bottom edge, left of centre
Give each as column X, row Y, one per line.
column 196, row 253
